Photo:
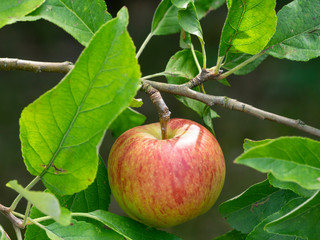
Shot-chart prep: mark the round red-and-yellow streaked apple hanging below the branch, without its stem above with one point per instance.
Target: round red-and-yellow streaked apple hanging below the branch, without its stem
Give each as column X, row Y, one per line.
column 163, row 183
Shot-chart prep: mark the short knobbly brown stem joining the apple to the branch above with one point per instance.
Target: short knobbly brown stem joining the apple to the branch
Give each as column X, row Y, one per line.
column 163, row 110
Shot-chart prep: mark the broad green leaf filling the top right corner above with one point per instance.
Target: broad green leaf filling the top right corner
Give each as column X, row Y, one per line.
column 298, row 41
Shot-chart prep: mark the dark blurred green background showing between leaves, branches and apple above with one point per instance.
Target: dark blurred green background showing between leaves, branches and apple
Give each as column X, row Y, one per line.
column 287, row 88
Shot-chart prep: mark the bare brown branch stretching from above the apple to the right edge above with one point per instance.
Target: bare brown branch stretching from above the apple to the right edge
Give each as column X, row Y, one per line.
column 232, row 104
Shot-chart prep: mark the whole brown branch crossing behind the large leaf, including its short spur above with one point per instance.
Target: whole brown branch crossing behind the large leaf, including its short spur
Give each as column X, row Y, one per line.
column 182, row 90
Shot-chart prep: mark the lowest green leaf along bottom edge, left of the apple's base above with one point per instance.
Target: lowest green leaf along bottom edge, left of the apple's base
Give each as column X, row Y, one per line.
column 80, row 230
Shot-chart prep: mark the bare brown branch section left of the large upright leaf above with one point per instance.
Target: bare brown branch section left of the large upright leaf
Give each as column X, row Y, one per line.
column 8, row 64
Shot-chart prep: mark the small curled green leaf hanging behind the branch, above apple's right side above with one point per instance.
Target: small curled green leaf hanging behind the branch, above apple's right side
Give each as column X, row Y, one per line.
column 180, row 69
